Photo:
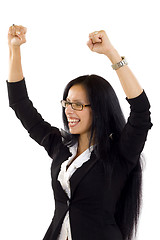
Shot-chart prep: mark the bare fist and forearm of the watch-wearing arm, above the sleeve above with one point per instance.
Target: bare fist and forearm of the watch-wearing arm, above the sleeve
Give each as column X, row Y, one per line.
column 100, row 43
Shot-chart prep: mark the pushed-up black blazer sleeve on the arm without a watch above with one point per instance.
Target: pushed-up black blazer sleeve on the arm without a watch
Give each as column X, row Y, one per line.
column 41, row 131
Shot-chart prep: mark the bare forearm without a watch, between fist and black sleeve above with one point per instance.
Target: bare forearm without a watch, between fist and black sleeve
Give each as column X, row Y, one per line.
column 15, row 66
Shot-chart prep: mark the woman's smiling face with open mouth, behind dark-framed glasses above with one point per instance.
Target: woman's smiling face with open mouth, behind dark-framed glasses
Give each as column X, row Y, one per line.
column 79, row 122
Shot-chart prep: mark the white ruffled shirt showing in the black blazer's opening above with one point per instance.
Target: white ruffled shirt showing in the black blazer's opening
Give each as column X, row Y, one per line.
column 64, row 177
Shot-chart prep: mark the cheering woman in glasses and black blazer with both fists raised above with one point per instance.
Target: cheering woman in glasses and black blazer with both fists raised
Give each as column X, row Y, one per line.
column 96, row 167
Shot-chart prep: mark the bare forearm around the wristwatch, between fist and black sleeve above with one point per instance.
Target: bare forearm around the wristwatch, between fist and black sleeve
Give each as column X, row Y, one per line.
column 128, row 81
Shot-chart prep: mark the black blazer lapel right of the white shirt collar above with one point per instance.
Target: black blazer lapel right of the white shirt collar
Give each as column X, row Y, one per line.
column 79, row 174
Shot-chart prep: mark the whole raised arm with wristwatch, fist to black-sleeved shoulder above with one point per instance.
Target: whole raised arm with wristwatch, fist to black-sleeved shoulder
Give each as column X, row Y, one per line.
column 134, row 134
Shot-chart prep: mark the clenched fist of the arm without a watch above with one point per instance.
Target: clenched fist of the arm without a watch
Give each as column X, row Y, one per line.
column 16, row 35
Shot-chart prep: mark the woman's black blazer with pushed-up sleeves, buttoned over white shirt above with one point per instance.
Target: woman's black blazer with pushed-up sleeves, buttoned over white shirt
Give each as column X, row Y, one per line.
column 93, row 201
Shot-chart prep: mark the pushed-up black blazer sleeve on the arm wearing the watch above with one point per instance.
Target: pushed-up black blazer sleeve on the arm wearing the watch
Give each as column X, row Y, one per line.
column 134, row 134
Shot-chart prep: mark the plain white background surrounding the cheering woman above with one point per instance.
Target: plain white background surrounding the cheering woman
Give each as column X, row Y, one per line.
column 55, row 53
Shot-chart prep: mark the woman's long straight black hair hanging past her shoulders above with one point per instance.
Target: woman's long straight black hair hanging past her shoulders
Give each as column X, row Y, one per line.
column 107, row 125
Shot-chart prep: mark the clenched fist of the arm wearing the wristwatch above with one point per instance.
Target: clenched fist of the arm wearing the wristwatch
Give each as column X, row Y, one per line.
column 99, row 42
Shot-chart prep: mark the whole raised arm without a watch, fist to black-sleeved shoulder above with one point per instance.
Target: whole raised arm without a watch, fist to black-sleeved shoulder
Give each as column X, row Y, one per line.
column 41, row 131
